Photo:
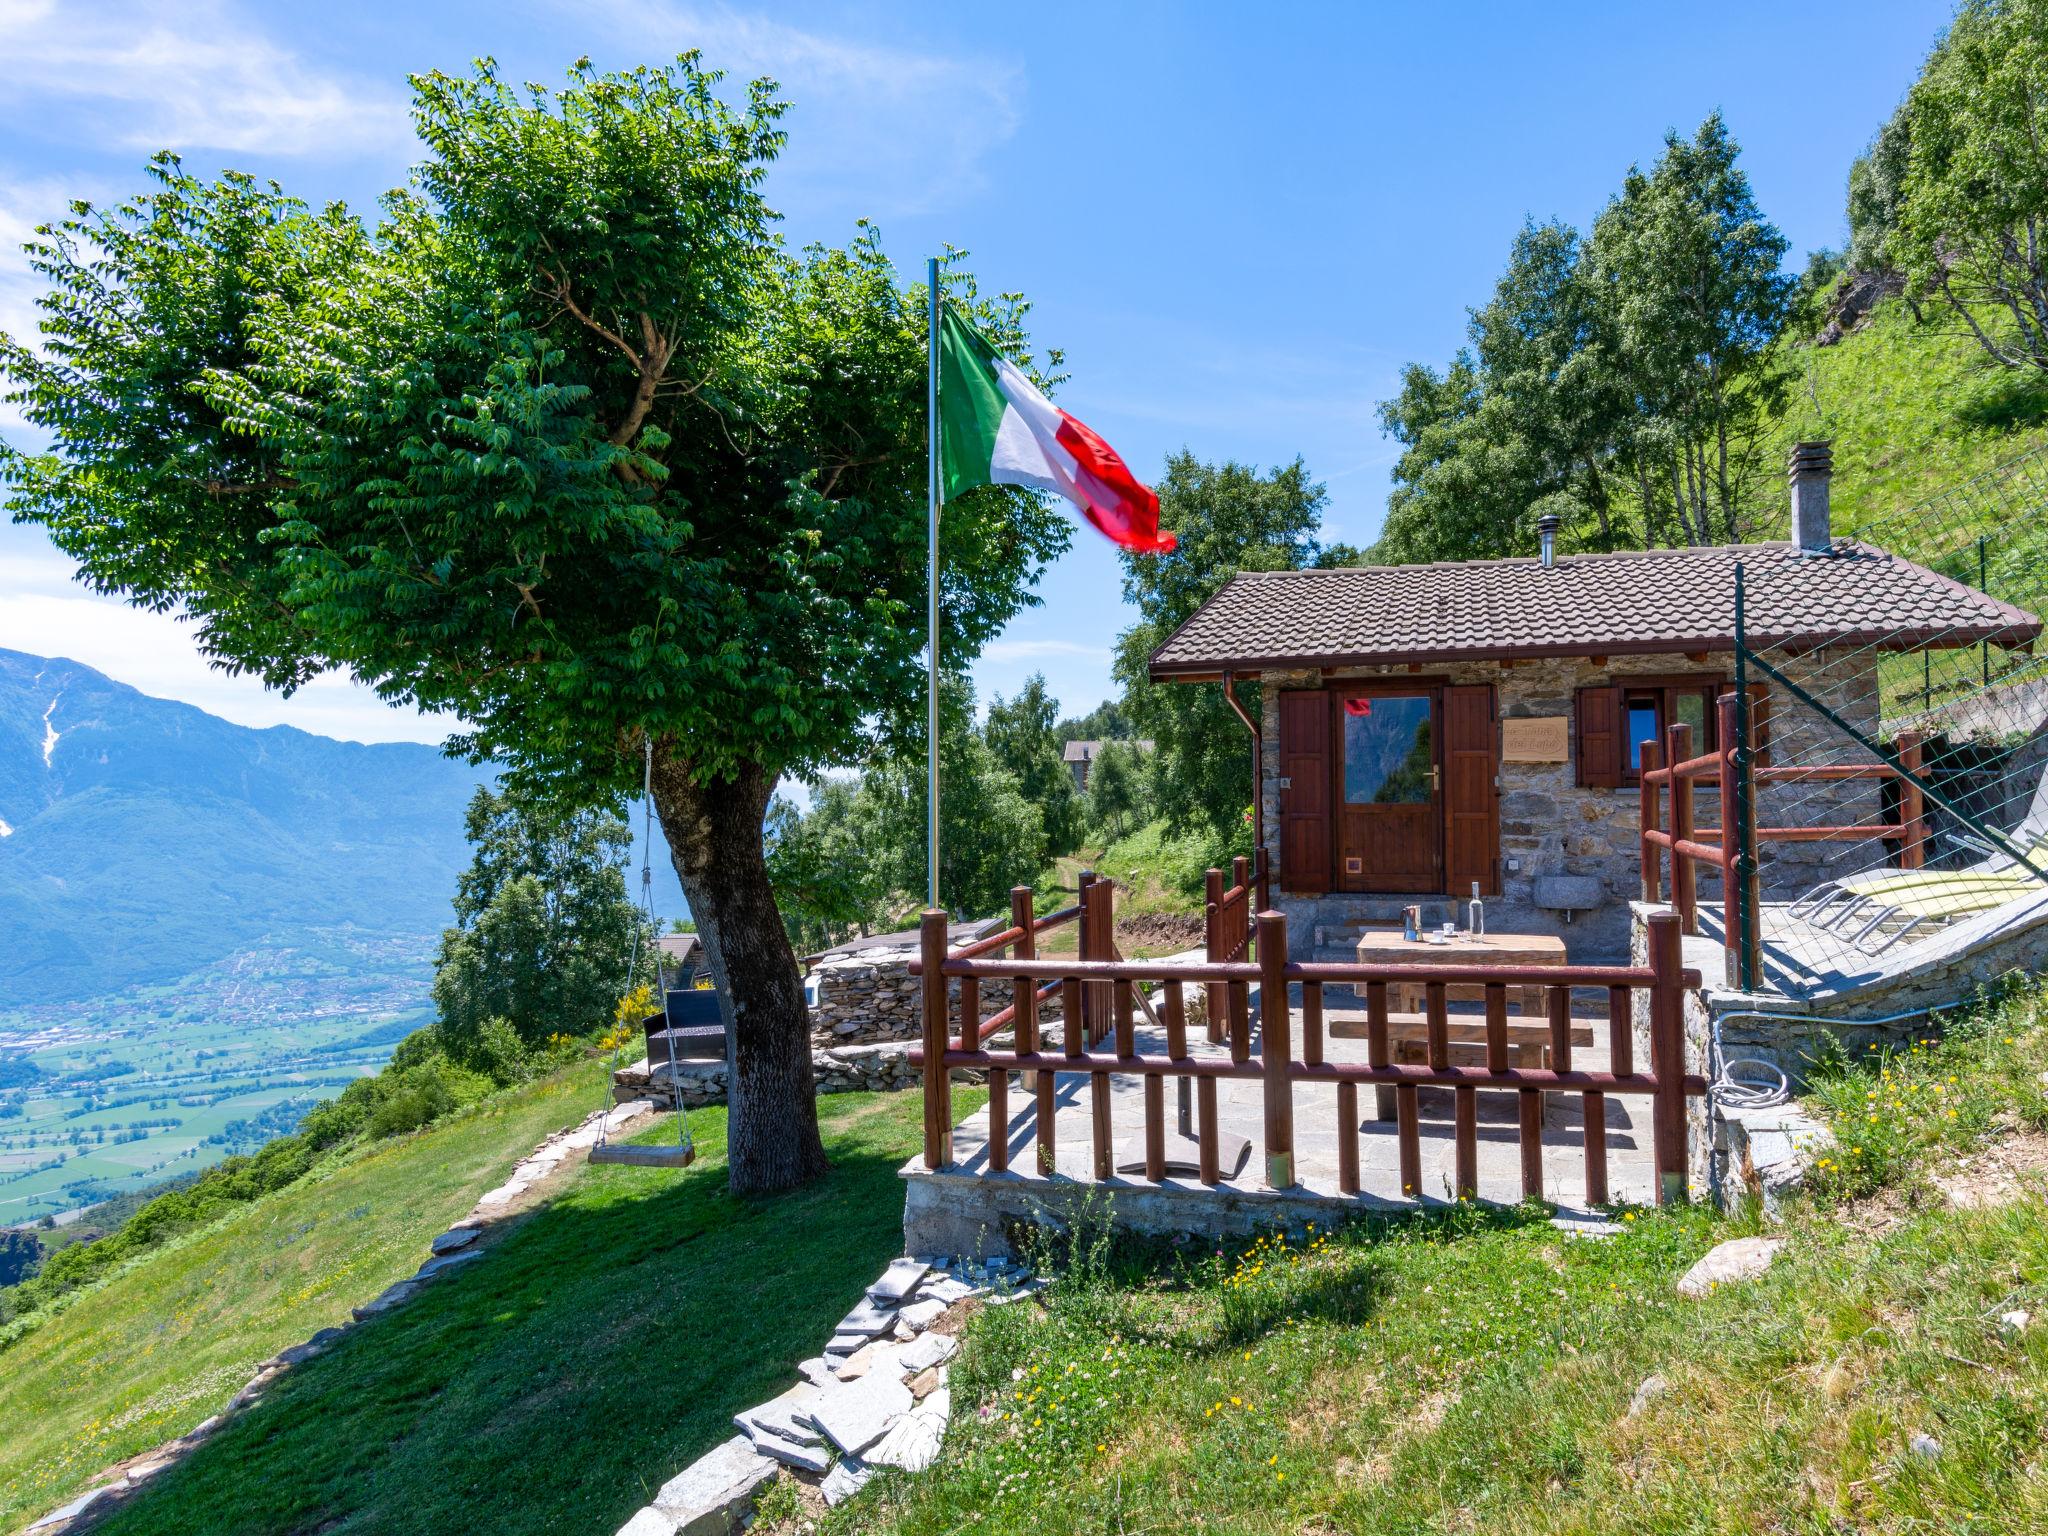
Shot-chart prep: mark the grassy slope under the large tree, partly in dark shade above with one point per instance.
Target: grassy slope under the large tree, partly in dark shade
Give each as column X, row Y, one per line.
column 601, row 1345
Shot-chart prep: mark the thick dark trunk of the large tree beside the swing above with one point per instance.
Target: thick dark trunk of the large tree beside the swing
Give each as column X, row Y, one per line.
column 716, row 841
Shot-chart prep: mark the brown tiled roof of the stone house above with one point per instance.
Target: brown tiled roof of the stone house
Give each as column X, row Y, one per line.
column 1584, row 605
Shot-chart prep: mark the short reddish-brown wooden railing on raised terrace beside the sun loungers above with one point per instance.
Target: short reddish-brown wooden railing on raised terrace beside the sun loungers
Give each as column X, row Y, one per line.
column 1670, row 773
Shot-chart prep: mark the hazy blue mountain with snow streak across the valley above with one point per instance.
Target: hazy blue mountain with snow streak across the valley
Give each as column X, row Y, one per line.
column 148, row 839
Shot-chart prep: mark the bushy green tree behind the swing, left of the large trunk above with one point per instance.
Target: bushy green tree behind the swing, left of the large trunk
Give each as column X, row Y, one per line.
column 544, row 927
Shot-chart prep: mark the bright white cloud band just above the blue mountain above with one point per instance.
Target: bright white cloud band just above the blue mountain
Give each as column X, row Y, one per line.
column 46, row 613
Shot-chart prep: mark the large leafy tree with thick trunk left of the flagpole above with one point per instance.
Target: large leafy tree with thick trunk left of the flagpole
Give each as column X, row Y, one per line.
column 568, row 447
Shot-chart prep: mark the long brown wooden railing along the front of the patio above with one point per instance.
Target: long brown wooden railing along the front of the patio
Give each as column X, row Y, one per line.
column 959, row 1043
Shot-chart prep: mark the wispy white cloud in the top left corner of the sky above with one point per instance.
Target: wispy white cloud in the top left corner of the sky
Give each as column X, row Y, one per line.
column 187, row 77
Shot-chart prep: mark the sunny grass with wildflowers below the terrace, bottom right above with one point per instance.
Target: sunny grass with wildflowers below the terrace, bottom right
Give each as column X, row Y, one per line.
column 1474, row 1373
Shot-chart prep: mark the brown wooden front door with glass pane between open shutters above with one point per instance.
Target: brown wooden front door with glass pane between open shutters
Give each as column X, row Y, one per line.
column 1390, row 790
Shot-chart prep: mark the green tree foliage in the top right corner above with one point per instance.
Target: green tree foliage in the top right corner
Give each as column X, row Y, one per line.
column 1965, row 196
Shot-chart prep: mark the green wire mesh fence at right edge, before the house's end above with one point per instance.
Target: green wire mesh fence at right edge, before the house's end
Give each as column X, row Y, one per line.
column 1897, row 769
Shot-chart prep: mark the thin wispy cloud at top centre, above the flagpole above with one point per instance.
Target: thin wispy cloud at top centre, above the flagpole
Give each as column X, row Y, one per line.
column 873, row 128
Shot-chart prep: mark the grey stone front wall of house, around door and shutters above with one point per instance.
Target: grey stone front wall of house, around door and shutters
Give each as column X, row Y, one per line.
column 1553, row 826
